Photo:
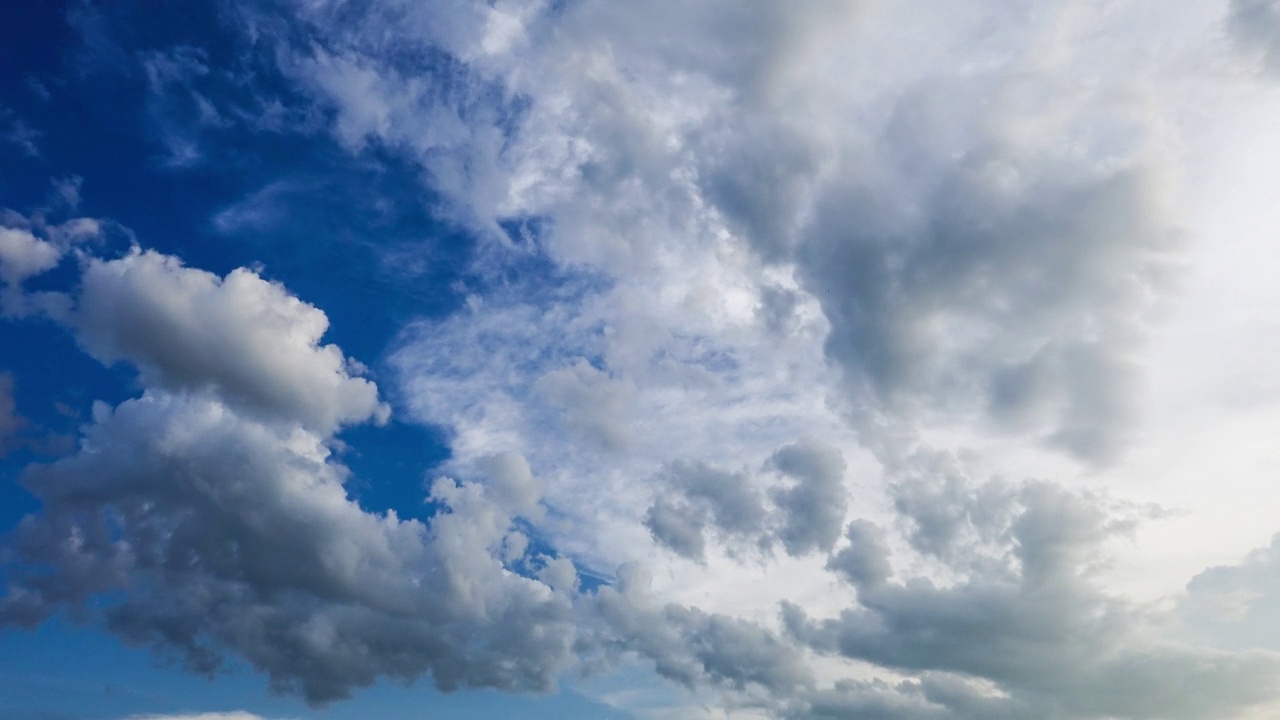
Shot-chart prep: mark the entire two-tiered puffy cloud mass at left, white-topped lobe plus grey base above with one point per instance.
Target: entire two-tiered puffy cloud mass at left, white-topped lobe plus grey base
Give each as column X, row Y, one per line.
column 212, row 512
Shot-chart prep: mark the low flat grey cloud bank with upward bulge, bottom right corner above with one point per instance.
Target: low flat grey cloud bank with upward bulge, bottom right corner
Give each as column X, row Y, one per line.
column 1039, row 630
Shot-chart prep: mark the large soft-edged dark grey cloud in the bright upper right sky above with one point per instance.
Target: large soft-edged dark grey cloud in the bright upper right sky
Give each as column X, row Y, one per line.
column 1013, row 286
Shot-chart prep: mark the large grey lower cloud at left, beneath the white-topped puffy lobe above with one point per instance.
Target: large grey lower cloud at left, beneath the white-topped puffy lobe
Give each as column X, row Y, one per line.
column 228, row 535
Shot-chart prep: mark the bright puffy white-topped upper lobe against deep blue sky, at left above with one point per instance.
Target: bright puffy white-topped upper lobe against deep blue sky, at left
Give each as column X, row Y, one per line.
column 243, row 338
